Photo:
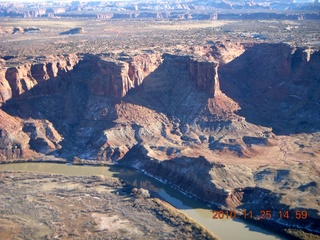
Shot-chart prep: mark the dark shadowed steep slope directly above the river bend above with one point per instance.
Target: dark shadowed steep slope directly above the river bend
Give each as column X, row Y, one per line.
column 186, row 173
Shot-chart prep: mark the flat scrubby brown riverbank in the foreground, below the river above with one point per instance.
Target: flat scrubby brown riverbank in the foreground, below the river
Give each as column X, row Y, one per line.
column 50, row 206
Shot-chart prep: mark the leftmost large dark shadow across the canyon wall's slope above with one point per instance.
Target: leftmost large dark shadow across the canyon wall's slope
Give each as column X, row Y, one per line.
column 65, row 102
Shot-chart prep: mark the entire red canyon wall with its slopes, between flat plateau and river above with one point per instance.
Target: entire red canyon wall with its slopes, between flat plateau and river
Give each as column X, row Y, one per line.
column 232, row 124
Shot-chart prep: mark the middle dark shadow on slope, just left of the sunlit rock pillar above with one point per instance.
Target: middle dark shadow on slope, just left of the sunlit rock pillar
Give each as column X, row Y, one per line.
column 170, row 91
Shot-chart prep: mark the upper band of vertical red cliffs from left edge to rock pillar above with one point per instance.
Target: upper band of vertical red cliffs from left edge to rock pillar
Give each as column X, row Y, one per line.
column 104, row 77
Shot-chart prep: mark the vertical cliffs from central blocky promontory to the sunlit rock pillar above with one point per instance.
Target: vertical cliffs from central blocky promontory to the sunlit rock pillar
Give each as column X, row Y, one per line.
column 116, row 78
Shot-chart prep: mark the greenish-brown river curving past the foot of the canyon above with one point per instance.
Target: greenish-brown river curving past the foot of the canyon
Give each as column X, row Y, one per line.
column 226, row 229
